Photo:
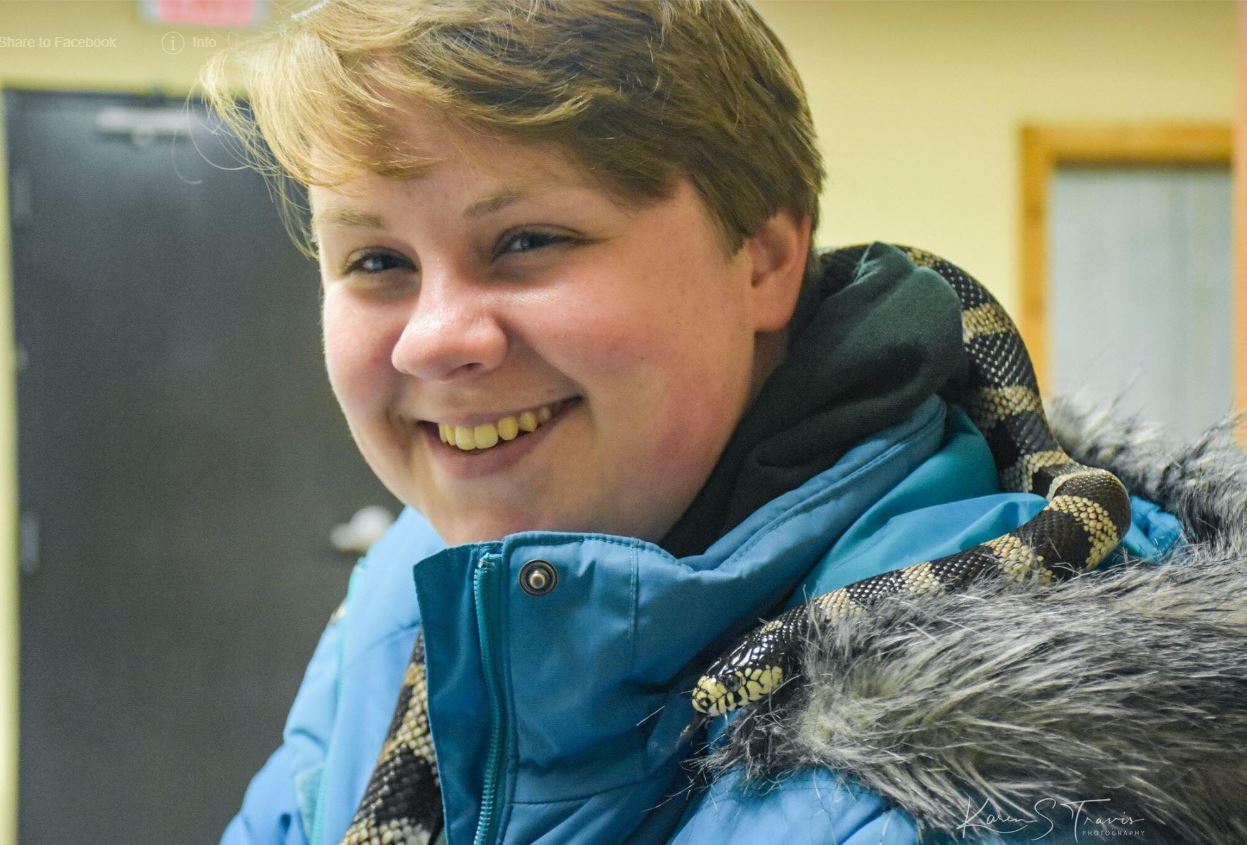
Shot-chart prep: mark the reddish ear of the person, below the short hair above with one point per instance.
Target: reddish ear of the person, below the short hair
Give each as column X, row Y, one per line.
column 779, row 254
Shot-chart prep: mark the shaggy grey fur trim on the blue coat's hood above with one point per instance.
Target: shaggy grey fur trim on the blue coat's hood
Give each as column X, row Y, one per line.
column 1118, row 699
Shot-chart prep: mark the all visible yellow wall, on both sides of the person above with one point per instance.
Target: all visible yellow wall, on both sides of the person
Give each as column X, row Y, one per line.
column 918, row 107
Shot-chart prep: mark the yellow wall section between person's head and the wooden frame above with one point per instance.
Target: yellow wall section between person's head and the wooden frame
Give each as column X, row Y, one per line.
column 918, row 104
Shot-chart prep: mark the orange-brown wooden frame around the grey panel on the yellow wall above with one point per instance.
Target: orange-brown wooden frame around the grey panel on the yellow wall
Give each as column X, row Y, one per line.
column 1044, row 148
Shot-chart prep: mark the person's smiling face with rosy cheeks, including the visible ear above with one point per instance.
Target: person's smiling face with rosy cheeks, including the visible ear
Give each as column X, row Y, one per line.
column 587, row 360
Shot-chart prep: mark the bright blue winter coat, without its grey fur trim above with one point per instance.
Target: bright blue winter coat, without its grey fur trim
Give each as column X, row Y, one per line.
column 573, row 702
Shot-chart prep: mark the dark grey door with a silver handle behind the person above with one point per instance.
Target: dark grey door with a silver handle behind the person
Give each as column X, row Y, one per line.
column 181, row 467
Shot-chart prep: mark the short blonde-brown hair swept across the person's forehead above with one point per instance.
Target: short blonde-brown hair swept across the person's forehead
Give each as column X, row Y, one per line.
column 638, row 93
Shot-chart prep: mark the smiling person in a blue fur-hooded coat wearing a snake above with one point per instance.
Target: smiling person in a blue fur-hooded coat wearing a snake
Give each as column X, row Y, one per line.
column 575, row 323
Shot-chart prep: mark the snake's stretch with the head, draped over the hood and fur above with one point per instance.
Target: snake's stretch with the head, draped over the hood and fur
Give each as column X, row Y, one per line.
column 1087, row 515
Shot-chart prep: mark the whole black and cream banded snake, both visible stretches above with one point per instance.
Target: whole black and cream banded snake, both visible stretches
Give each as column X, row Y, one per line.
column 1087, row 515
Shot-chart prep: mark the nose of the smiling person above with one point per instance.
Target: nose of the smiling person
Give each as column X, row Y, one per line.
column 453, row 330
